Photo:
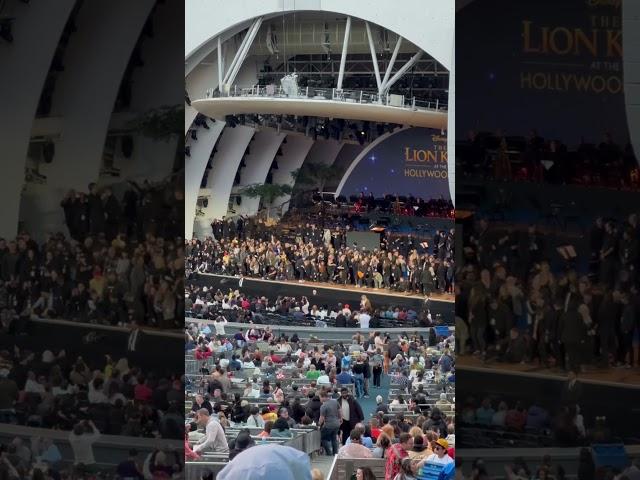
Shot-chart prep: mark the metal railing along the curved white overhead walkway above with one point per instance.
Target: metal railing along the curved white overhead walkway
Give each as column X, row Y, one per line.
column 347, row 96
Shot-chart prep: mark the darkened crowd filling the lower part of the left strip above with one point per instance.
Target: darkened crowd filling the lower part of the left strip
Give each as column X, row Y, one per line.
column 121, row 264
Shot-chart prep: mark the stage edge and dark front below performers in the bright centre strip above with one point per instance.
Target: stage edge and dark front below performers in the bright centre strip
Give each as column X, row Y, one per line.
column 330, row 294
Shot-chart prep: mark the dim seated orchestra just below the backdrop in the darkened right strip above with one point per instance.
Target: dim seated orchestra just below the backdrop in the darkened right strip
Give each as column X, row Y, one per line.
column 535, row 158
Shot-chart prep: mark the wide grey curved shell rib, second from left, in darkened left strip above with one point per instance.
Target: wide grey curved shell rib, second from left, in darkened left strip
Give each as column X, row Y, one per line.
column 95, row 61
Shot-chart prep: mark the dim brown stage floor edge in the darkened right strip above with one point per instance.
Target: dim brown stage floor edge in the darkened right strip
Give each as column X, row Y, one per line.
column 597, row 376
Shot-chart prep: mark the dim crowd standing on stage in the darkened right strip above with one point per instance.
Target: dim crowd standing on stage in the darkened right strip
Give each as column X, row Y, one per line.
column 515, row 307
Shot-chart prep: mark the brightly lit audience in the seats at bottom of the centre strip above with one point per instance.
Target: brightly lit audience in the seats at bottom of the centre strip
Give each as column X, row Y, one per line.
column 318, row 385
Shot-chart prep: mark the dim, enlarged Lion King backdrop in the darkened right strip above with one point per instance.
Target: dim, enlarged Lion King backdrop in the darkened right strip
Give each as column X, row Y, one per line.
column 546, row 64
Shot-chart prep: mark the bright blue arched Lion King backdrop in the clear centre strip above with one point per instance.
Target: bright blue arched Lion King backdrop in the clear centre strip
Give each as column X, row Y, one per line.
column 412, row 161
